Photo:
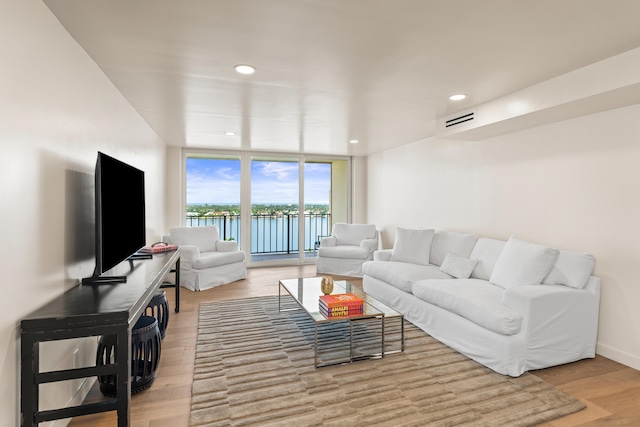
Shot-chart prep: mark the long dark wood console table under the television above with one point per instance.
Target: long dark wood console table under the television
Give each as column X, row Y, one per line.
column 86, row 311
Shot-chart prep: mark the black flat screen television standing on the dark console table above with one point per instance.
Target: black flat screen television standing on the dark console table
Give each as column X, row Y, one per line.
column 120, row 227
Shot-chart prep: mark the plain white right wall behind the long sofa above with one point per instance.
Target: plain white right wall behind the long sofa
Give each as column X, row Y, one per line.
column 571, row 185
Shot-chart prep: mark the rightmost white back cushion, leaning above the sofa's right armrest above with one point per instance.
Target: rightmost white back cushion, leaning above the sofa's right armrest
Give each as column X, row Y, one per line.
column 571, row 269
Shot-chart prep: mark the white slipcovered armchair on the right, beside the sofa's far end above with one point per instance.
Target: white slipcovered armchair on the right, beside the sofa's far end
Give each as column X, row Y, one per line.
column 348, row 247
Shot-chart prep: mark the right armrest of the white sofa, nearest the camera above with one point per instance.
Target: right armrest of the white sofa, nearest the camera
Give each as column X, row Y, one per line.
column 555, row 316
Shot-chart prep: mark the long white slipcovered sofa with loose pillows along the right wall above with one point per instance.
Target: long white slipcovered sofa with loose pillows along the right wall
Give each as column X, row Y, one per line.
column 513, row 305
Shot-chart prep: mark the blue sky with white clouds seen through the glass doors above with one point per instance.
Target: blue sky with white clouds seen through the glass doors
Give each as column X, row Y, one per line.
column 217, row 181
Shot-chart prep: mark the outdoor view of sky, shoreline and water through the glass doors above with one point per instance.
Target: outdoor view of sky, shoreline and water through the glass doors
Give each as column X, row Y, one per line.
column 275, row 188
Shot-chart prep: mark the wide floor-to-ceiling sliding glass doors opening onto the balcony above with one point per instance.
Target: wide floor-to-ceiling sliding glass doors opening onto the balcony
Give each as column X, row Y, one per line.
column 277, row 207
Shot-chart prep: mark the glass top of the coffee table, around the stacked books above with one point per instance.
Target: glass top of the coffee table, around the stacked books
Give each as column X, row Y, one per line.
column 306, row 292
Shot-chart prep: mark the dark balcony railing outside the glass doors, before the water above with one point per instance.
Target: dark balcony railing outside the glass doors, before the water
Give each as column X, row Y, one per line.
column 270, row 234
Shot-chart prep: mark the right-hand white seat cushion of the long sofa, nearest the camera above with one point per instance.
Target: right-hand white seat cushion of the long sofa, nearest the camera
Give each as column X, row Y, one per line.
column 476, row 300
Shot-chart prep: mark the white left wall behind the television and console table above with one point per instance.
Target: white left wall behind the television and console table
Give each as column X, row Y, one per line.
column 57, row 109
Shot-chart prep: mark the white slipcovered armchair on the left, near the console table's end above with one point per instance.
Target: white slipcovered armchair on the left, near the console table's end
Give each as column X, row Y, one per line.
column 205, row 260
